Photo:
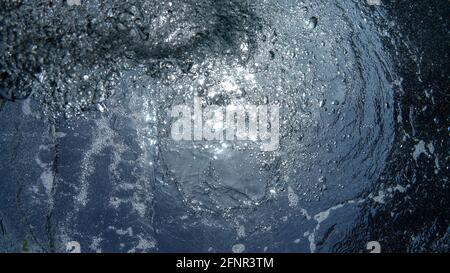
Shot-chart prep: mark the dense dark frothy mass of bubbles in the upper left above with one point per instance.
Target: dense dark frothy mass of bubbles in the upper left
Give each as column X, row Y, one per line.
column 70, row 57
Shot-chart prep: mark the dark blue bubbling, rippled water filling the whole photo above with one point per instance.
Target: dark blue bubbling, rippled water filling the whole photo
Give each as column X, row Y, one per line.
column 363, row 154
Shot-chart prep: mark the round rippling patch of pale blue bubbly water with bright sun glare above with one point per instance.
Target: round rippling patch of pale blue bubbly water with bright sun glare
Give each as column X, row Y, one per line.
column 329, row 88
